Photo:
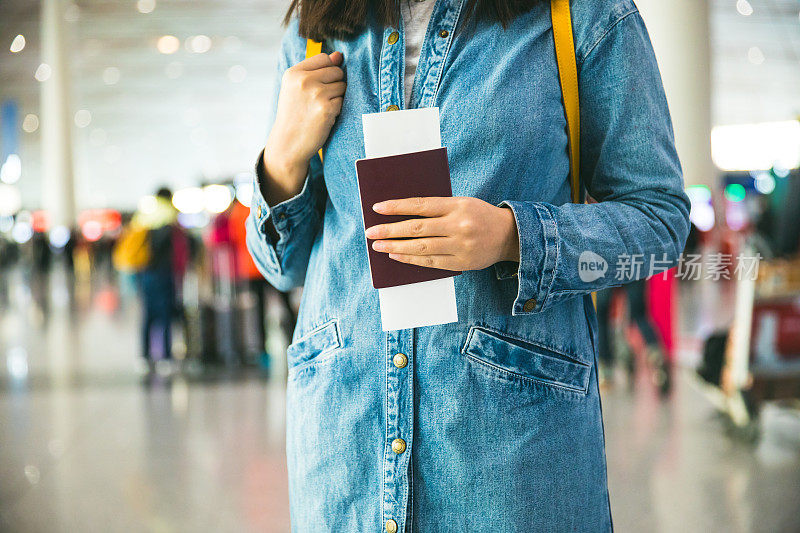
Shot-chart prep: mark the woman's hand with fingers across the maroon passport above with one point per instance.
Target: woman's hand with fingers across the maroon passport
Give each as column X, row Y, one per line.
column 458, row 233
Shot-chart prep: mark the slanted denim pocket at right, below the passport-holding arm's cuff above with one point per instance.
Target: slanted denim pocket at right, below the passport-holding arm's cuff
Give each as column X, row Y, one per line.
column 519, row 360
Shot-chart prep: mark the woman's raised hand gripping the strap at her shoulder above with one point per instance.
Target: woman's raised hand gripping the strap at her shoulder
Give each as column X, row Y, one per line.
column 310, row 99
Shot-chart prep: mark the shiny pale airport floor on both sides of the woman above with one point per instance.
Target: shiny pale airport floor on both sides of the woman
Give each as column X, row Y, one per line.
column 87, row 444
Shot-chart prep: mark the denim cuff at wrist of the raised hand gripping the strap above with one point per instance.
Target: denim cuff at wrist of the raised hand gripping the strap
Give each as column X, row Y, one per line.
column 276, row 222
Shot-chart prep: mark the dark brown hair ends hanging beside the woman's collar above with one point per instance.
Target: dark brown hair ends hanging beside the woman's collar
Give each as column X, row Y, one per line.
column 341, row 19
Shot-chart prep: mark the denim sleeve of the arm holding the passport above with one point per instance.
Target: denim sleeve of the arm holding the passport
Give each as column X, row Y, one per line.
column 640, row 222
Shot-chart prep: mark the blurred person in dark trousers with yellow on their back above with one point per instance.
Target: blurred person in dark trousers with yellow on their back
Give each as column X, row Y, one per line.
column 156, row 281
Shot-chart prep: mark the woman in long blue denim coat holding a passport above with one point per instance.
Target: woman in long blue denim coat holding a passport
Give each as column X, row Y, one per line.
column 492, row 423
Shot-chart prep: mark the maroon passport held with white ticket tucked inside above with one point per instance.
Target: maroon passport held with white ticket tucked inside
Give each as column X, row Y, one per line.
column 423, row 173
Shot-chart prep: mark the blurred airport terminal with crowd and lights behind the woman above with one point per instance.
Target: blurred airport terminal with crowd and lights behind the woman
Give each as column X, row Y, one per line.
column 119, row 117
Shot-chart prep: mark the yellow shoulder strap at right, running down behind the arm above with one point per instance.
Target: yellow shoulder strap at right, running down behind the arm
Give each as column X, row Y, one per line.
column 568, row 75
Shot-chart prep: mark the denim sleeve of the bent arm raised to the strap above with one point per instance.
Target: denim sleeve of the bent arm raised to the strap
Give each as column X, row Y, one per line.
column 280, row 237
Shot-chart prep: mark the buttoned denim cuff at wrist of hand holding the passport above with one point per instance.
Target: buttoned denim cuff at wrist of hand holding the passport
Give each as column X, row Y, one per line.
column 538, row 256
